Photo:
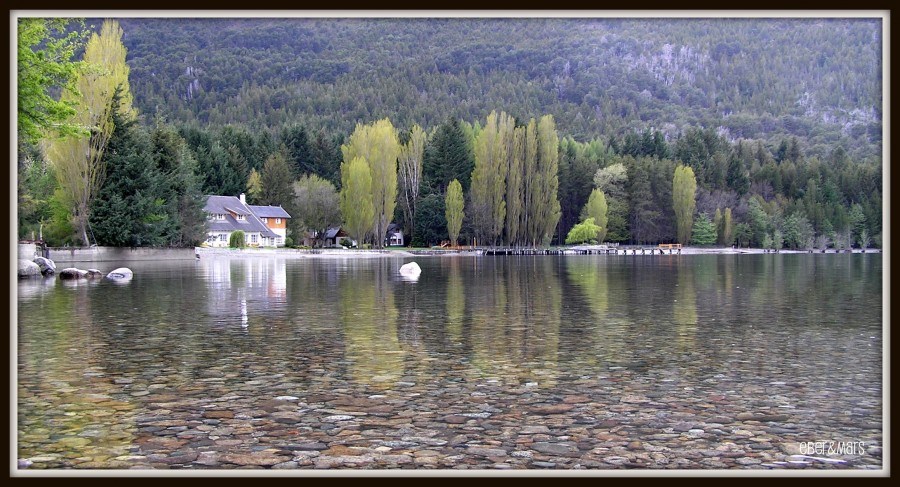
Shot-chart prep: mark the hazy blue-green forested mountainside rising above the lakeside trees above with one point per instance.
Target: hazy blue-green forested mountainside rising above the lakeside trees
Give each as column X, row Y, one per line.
column 817, row 79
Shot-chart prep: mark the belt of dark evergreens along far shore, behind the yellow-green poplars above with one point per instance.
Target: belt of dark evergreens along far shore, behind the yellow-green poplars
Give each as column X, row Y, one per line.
column 157, row 174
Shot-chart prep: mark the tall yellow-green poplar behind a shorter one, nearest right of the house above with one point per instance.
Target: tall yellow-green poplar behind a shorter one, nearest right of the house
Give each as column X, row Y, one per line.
column 378, row 146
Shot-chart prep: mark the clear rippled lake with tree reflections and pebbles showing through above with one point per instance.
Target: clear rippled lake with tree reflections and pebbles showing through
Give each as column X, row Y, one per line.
column 766, row 361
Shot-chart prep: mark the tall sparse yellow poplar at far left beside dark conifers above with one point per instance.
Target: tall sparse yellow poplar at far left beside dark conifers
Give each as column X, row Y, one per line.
column 78, row 160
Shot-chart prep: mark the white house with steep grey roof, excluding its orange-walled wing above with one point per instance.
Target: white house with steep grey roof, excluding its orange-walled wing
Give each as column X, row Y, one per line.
column 227, row 214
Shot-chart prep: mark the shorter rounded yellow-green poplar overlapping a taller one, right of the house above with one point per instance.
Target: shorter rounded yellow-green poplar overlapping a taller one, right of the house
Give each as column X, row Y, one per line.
column 356, row 198
